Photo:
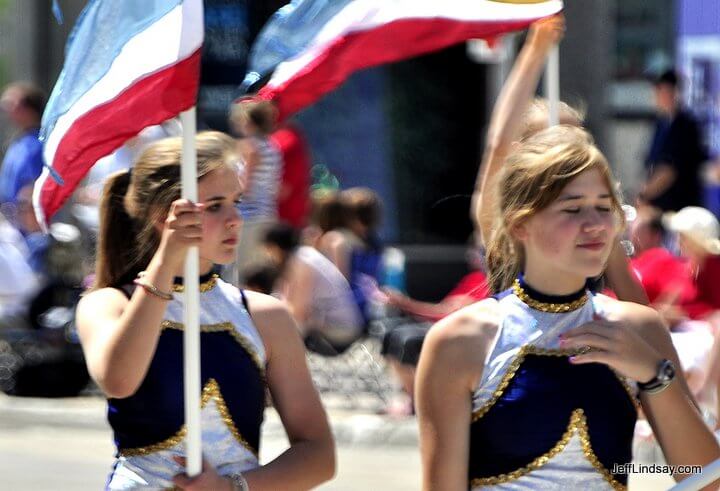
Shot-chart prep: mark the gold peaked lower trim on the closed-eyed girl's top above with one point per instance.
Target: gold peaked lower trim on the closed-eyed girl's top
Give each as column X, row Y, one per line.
column 578, row 424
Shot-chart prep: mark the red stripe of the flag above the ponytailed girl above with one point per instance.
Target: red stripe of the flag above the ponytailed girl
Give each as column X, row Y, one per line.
column 99, row 132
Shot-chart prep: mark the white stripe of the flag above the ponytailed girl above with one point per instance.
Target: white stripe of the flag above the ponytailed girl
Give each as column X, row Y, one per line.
column 172, row 38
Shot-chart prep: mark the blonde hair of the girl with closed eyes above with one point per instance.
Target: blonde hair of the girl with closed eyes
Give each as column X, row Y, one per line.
column 533, row 177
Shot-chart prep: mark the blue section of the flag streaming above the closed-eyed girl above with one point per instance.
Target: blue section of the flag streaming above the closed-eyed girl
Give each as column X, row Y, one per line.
column 287, row 33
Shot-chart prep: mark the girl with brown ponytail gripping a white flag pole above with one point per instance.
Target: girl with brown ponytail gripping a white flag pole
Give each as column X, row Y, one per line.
column 131, row 329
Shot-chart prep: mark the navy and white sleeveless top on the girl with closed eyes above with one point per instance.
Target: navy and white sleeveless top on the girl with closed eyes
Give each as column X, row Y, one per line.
column 540, row 422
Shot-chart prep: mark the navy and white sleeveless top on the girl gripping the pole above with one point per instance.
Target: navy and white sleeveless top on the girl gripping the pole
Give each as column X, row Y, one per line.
column 148, row 426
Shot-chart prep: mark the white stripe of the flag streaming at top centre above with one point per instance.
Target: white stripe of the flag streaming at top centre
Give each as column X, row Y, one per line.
column 363, row 15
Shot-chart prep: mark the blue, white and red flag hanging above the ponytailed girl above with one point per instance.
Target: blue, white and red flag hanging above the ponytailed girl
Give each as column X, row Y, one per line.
column 128, row 65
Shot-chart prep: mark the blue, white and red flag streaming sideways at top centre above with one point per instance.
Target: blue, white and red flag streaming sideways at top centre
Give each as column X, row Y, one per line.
column 310, row 47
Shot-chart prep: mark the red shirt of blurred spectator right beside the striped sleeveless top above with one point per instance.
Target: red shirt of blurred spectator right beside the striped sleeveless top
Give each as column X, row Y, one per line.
column 294, row 194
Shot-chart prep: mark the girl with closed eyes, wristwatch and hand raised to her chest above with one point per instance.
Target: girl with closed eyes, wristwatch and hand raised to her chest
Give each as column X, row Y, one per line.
column 539, row 386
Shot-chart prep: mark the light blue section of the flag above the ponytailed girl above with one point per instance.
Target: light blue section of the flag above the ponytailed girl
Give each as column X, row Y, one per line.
column 101, row 31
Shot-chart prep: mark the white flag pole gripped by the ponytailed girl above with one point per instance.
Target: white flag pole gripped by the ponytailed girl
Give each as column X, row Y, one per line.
column 191, row 344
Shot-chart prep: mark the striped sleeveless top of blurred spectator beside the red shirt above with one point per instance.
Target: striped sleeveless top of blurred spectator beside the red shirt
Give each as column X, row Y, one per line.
column 260, row 199
